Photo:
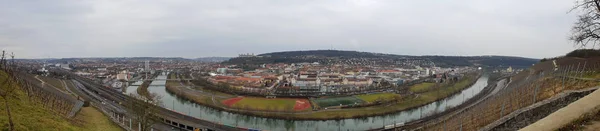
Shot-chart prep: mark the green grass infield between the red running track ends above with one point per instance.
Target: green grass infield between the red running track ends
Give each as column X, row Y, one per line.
column 266, row 104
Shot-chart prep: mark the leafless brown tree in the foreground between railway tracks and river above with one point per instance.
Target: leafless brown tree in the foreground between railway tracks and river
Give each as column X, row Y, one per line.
column 144, row 110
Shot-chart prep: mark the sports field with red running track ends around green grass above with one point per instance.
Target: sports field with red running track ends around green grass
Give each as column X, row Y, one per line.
column 276, row 104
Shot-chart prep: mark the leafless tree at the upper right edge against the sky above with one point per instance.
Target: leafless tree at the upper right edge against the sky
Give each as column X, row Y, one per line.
column 587, row 28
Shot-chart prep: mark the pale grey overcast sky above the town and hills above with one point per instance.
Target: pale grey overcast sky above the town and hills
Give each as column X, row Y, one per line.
column 197, row 28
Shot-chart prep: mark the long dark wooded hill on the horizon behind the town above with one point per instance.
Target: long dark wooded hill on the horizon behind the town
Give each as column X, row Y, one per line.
column 352, row 57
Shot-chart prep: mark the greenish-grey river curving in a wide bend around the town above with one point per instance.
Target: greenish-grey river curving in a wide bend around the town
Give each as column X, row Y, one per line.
column 171, row 101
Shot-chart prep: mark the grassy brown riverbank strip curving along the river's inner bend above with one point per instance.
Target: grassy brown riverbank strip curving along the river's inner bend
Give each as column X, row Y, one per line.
column 332, row 114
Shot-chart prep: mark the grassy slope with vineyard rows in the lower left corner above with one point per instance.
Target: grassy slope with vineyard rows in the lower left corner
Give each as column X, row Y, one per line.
column 30, row 116
